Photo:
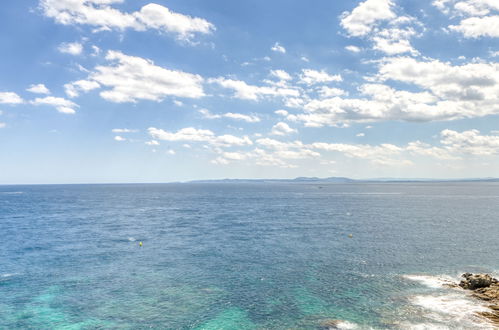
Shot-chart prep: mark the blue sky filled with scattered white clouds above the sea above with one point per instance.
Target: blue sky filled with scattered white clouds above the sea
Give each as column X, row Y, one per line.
column 174, row 90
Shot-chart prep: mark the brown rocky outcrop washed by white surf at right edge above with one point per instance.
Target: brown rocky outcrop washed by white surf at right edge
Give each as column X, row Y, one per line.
column 485, row 288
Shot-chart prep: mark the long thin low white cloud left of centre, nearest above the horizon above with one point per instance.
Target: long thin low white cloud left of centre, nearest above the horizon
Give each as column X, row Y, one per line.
column 191, row 134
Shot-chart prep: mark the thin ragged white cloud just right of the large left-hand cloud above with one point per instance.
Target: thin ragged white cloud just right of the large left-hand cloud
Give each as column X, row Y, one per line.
column 251, row 92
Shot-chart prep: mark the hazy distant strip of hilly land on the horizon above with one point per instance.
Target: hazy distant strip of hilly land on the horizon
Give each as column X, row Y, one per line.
column 343, row 180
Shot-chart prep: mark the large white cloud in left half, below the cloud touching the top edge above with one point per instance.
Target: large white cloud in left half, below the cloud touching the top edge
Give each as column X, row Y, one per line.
column 131, row 78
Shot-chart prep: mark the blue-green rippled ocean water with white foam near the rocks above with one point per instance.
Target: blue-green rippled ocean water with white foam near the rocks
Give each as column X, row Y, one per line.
column 245, row 256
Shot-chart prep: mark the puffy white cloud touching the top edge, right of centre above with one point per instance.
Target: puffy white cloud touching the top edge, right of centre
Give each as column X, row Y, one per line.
column 362, row 19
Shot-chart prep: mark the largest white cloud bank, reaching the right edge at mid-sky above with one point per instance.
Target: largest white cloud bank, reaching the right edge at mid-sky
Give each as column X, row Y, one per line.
column 447, row 92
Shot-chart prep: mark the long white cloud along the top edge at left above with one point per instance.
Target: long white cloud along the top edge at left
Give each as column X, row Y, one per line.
column 100, row 14
